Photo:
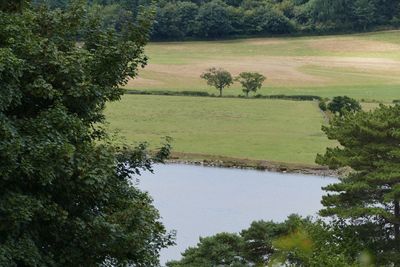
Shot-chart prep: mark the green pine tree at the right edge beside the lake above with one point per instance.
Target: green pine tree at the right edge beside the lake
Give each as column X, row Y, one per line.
column 369, row 196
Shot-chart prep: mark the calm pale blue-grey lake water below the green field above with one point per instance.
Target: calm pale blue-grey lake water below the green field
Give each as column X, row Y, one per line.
column 201, row 201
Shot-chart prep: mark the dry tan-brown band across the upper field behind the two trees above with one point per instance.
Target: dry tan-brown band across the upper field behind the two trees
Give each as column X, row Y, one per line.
column 278, row 70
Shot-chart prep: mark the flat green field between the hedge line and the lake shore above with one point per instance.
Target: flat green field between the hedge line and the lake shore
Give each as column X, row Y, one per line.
column 275, row 130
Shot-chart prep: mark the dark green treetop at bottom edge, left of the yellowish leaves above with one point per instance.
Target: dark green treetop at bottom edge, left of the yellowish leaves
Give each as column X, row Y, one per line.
column 251, row 246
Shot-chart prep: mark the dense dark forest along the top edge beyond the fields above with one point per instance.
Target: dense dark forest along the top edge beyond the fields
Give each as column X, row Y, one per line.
column 195, row 19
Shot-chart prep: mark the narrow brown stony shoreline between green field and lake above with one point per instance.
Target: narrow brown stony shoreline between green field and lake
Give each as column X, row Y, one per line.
column 260, row 165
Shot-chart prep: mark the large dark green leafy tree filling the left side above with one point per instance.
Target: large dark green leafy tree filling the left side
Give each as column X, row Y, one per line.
column 66, row 196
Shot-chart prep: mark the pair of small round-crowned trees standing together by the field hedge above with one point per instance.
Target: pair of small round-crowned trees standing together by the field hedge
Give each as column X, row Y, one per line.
column 220, row 79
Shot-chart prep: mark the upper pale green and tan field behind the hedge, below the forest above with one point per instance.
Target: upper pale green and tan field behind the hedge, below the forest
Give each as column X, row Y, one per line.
column 363, row 66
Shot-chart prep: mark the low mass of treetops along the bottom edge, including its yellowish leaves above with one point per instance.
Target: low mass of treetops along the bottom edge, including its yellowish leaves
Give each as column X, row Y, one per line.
column 294, row 242
